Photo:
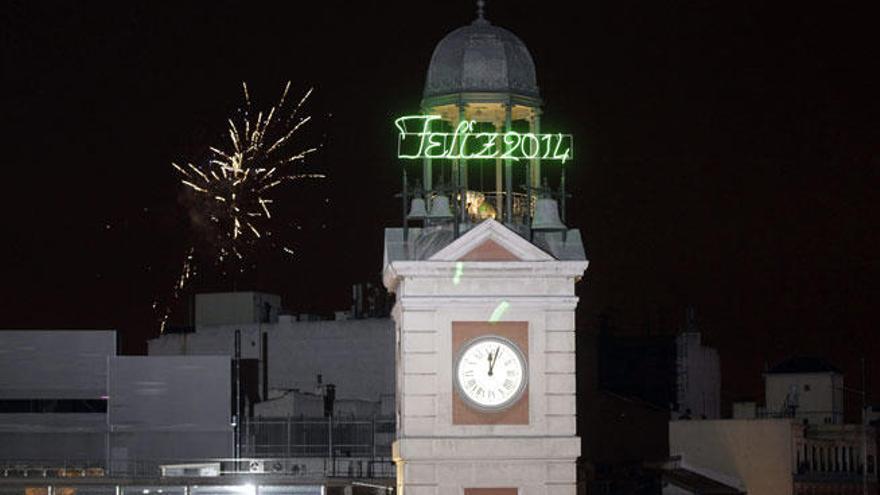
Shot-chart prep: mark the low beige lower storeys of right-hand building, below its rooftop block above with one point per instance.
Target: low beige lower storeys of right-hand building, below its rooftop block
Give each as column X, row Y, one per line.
column 778, row 456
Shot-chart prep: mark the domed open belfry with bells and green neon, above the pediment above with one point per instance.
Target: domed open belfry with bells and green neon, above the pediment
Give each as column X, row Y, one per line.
column 478, row 137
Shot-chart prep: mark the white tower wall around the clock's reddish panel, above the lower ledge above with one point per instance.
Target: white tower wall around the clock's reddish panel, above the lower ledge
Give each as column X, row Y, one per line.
column 426, row 410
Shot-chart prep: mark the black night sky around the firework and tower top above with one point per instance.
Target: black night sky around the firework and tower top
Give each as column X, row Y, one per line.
column 726, row 158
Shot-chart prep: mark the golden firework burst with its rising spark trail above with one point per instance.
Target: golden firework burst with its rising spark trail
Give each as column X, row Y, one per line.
column 235, row 184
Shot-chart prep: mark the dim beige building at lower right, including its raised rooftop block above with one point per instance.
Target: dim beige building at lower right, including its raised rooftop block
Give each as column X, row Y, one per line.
column 796, row 444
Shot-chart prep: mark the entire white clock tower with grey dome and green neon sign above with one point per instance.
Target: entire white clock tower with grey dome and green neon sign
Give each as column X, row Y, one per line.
column 484, row 277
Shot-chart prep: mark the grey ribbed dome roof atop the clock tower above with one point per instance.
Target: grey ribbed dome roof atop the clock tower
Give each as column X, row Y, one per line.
column 481, row 58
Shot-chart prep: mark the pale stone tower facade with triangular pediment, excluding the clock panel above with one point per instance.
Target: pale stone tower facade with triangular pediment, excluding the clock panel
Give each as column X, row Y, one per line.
column 436, row 456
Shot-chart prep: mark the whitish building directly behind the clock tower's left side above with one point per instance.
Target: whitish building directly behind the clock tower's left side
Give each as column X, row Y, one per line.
column 289, row 366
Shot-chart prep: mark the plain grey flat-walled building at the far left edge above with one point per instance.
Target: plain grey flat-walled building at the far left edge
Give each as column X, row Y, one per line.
column 68, row 401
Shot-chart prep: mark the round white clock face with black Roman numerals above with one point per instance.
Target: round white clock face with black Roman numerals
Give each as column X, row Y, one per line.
column 490, row 372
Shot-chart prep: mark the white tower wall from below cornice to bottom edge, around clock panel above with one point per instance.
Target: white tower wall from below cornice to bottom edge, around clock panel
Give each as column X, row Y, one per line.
column 440, row 457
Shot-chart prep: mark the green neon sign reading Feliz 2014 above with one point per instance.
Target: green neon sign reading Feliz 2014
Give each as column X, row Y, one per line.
column 416, row 141
